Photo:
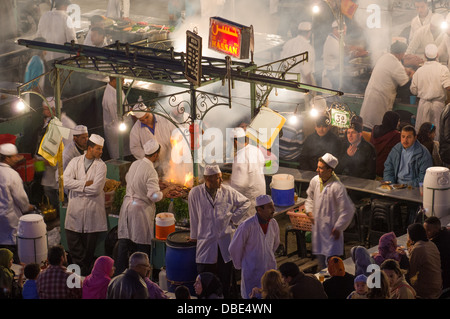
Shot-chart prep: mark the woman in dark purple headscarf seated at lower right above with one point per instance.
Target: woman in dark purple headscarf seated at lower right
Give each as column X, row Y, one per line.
column 388, row 249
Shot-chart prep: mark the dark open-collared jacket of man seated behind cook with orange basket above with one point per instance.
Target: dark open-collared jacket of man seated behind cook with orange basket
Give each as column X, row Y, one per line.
column 362, row 164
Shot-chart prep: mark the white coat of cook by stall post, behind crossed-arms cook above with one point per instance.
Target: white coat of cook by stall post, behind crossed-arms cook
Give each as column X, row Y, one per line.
column 111, row 123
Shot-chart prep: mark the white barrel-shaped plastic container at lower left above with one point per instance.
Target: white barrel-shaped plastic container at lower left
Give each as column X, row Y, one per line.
column 32, row 243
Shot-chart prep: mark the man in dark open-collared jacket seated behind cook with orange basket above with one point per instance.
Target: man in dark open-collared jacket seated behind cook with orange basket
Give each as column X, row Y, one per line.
column 357, row 157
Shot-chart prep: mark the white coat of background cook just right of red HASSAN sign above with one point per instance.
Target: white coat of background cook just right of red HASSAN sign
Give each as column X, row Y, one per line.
column 296, row 46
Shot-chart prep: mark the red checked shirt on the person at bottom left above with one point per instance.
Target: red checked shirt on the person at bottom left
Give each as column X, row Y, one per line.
column 52, row 284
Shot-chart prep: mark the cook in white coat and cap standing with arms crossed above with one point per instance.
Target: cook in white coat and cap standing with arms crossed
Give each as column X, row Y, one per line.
column 85, row 179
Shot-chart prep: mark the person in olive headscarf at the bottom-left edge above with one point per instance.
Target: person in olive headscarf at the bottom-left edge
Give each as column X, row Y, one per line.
column 9, row 288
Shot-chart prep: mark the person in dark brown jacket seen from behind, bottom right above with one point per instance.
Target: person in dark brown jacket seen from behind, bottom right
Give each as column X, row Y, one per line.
column 424, row 273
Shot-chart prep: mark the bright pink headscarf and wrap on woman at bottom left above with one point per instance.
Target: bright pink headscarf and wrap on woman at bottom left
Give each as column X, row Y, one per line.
column 96, row 284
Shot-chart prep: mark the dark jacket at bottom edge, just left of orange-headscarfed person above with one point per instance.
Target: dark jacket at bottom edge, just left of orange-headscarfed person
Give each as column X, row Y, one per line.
column 307, row 286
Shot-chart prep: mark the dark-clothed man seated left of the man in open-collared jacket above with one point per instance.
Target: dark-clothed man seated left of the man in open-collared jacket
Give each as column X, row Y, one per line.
column 322, row 141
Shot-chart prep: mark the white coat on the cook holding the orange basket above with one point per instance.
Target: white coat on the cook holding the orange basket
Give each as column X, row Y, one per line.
column 331, row 208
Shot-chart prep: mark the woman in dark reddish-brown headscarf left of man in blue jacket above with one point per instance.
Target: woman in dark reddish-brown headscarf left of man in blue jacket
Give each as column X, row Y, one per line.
column 384, row 138
